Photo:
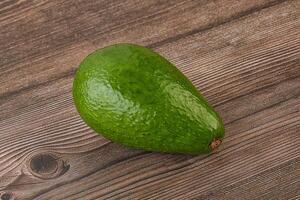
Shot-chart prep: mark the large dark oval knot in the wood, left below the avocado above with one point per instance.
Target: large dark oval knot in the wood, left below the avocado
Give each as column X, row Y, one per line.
column 47, row 166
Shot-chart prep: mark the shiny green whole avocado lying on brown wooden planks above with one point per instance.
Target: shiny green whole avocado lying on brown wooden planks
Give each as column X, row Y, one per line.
column 135, row 97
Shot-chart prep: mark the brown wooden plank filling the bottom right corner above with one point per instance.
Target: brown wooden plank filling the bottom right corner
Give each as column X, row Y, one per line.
column 281, row 182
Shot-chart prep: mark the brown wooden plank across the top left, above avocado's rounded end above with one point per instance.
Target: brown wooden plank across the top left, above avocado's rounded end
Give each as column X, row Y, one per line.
column 45, row 41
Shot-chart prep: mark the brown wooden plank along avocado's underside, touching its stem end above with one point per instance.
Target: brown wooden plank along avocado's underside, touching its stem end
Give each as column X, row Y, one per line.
column 246, row 152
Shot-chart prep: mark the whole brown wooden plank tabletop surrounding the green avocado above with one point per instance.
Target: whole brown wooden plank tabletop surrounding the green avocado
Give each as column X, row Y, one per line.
column 244, row 56
